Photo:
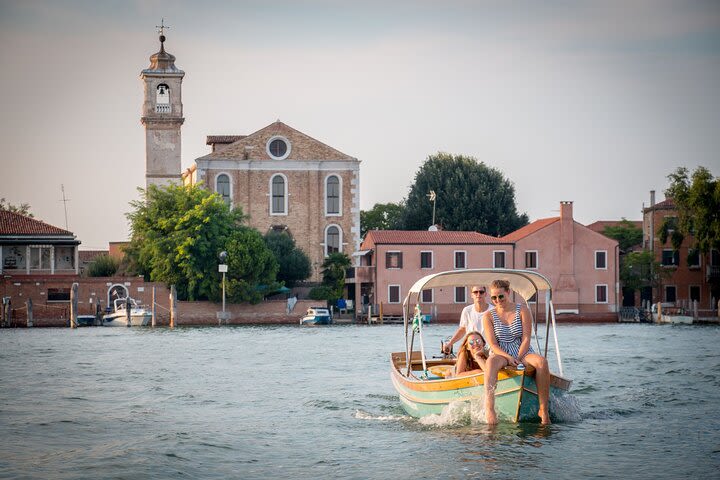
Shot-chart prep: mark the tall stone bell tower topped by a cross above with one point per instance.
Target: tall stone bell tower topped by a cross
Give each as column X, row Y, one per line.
column 162, row 117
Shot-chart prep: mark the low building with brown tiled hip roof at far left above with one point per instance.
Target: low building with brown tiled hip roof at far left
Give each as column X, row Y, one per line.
column 32, row 247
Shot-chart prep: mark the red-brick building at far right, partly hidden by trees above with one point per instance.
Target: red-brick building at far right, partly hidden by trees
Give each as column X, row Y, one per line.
column 692, row 276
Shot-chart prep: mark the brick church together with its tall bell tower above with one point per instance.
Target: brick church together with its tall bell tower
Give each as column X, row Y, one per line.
column 281, row 178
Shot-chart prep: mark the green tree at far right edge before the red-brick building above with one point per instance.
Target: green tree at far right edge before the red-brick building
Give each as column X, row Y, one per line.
column 697, row 199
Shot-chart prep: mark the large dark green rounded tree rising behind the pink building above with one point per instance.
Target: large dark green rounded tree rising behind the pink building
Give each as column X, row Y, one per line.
column 471, row 196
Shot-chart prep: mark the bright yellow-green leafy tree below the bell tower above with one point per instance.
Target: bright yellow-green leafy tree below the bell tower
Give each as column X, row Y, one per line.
column 177, row 233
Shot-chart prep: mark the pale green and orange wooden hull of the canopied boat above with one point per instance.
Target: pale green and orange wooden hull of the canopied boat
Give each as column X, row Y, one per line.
column 516, row 398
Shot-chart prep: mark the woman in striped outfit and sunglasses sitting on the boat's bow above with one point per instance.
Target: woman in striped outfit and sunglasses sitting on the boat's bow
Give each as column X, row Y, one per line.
column 507, row 331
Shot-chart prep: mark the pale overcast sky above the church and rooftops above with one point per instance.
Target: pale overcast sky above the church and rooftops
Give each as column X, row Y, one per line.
column 595, row 102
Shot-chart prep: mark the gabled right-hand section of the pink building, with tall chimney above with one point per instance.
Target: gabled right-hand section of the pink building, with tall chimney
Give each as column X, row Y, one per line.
column 581, row 264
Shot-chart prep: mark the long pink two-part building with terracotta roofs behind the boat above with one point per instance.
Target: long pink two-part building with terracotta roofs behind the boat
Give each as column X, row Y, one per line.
column 582, row 266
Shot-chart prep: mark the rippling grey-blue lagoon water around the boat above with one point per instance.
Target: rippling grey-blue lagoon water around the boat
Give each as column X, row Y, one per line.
column 294, row 402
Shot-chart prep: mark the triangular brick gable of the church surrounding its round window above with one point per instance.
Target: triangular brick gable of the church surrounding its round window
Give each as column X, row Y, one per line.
column 253, row 147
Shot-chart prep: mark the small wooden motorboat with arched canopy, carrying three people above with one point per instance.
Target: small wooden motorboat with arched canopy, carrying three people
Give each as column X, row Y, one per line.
column 420, row 382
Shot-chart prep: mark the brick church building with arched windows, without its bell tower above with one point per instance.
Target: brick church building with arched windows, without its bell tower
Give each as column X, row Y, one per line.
column 285, row 180
